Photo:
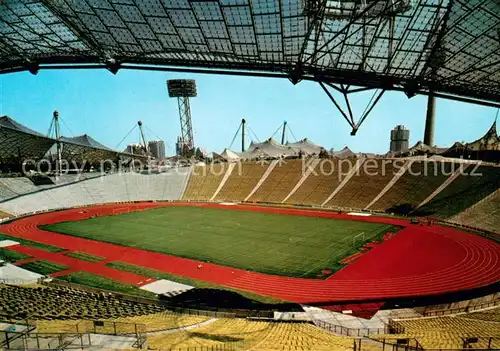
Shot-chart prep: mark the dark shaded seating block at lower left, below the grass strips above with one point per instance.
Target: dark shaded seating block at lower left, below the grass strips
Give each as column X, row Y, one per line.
column 41, row 302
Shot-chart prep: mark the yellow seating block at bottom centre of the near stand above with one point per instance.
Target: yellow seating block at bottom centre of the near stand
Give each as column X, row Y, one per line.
column 252, row 335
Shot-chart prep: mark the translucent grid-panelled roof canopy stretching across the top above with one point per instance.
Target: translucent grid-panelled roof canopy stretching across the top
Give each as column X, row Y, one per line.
column 450, row 47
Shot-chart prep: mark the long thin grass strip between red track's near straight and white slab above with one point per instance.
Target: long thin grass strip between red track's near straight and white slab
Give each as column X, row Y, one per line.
column 152, row 273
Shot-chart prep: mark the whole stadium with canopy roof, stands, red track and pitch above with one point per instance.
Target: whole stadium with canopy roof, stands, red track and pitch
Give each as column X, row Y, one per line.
column 282, row 246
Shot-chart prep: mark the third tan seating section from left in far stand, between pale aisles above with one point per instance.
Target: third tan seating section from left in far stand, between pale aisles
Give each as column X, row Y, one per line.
column 280, row 182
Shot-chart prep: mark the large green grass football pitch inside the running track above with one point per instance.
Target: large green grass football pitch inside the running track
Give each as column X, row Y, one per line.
column 295, row 246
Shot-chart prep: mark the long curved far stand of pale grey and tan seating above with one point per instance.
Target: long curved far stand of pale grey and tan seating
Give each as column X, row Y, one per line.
column 457, row 195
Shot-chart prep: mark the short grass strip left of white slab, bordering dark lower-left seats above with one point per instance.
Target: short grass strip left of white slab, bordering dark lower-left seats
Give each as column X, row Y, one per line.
column 95, row 281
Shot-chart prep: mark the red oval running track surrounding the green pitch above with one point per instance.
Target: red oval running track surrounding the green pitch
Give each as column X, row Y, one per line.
column 420, row 260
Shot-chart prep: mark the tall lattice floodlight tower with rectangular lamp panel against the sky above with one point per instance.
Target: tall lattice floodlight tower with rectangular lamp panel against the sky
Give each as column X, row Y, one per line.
column 183, row 89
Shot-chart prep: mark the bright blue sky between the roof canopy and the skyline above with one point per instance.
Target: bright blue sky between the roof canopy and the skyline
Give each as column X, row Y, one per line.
column 107, row 106
